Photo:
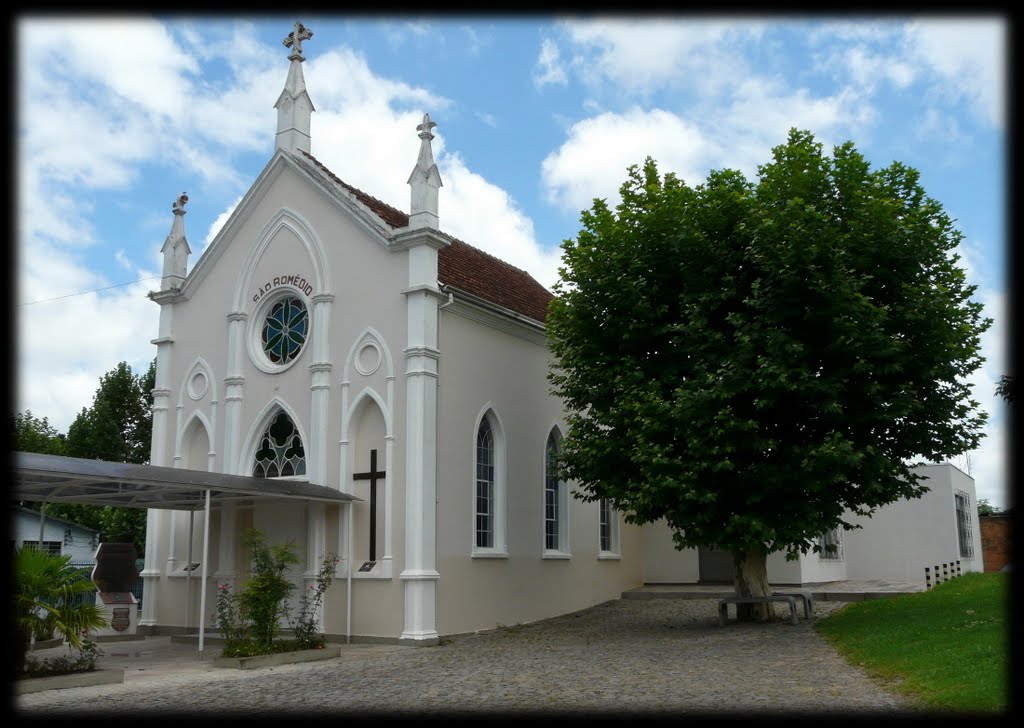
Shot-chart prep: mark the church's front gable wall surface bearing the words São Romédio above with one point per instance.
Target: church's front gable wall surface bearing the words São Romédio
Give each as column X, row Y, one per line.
column 307, row 235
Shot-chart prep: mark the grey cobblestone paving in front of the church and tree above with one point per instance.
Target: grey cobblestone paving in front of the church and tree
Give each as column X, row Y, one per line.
column 627, row 657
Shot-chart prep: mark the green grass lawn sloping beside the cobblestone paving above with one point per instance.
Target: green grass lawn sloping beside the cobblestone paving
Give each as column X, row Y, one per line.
column 949, row 648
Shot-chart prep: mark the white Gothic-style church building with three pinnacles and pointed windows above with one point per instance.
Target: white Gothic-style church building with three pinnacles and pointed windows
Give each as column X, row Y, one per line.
column 327, row 337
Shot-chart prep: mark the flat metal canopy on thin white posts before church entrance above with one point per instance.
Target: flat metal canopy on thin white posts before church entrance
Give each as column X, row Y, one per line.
column 53, row 479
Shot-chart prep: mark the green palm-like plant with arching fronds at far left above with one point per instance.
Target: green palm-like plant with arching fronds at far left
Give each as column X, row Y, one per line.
column 48, row 592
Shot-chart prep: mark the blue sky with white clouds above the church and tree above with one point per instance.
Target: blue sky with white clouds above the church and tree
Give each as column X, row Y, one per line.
column 536, row 117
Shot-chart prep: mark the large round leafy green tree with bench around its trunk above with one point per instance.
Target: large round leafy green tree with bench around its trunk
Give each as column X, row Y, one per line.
column 751, row 362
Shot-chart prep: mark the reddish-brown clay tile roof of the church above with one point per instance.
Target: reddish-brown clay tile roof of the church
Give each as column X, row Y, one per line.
column 465, row 268
